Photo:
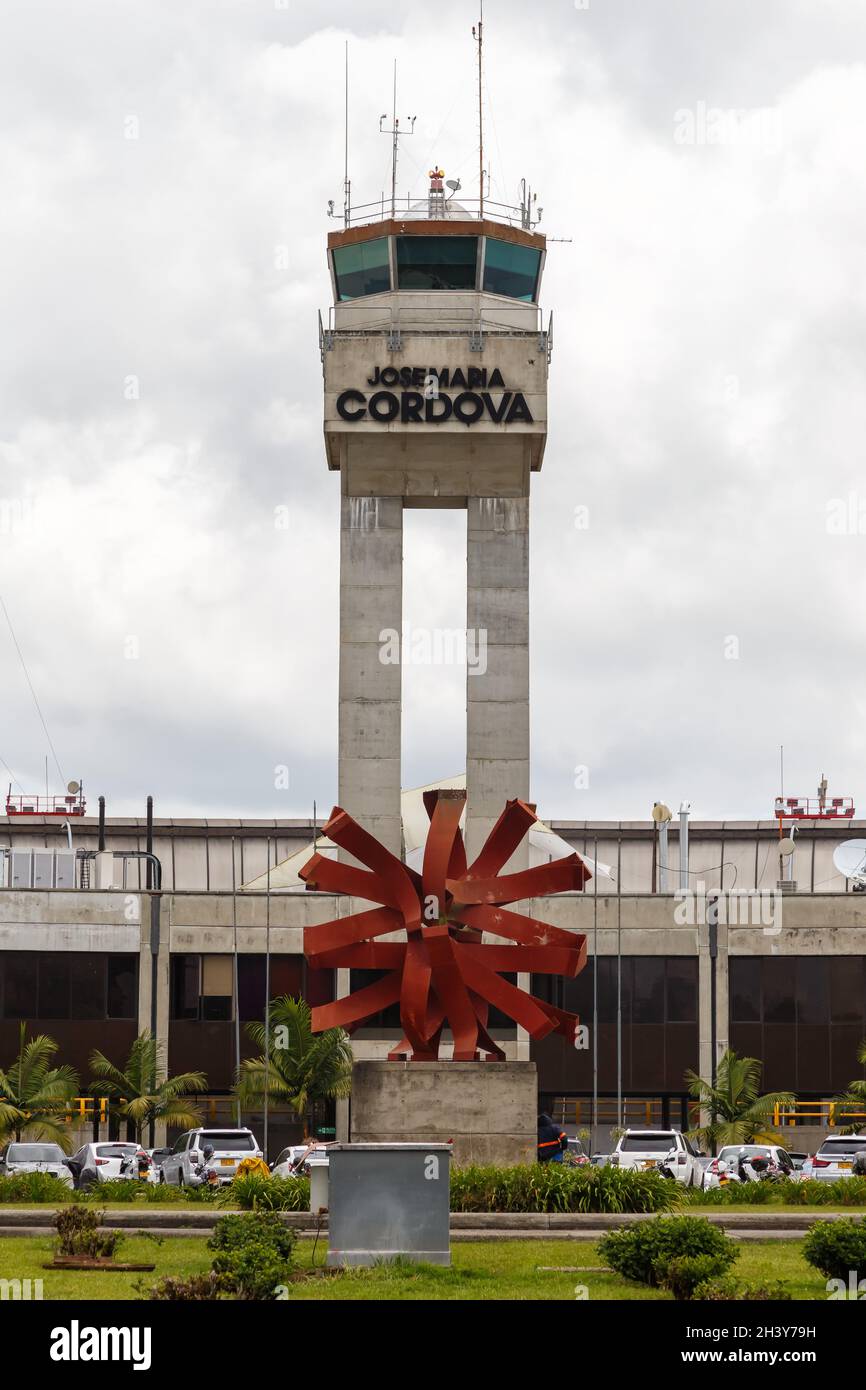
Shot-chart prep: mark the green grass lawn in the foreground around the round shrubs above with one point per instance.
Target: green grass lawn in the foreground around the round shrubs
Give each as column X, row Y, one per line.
column 484, row 1271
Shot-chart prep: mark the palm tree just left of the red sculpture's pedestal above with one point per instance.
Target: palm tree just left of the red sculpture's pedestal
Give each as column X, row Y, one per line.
column 298, row 1067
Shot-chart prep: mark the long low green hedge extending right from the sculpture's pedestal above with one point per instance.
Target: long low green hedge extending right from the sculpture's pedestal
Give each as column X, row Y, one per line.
column 554, row 1188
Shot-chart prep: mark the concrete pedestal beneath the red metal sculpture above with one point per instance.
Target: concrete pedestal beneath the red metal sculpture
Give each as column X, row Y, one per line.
column 487, row 1109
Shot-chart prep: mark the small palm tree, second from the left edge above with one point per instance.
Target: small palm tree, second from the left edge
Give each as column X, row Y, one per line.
column 142, row 1093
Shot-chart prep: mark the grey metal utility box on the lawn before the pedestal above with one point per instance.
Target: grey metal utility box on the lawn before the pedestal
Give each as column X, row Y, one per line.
column 389, row 1202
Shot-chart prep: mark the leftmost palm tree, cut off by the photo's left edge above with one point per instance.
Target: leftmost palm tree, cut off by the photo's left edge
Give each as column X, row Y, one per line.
column 34, row 1095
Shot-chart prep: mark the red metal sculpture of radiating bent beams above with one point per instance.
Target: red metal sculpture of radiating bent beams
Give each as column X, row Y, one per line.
column 444, row 972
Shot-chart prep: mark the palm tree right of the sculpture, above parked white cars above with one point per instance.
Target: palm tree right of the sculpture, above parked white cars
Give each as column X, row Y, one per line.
column 737, row 1113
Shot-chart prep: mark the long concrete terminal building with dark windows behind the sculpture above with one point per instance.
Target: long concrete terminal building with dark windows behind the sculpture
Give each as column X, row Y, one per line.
column 672, row 978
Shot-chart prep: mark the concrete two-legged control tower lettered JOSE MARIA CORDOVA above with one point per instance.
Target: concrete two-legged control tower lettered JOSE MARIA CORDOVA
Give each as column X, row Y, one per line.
column 436, row 365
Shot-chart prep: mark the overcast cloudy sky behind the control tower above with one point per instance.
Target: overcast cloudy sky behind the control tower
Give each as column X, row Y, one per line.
column 161, row 391
